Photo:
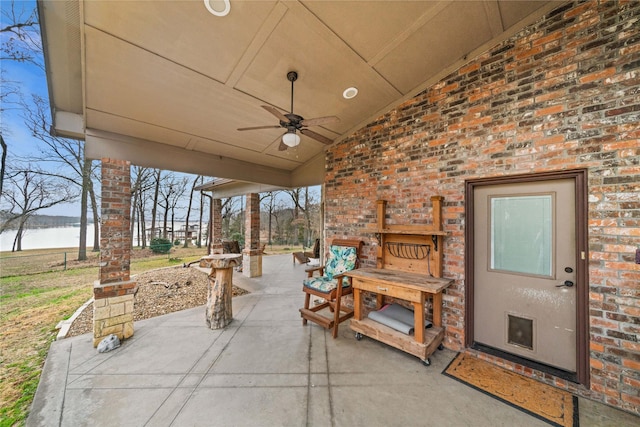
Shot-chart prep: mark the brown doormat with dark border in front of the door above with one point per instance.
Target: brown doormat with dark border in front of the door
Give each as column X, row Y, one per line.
column 557, row 407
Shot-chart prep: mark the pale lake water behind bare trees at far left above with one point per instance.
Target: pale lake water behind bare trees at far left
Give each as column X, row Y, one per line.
column 45, row 238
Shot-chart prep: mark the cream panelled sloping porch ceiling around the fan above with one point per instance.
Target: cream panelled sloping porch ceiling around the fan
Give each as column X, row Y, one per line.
column 166, row 83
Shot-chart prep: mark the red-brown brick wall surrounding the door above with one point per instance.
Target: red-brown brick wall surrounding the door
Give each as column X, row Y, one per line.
column 563, row 93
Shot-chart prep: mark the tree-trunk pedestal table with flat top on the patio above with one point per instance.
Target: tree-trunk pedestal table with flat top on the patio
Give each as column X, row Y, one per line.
column 219, row 312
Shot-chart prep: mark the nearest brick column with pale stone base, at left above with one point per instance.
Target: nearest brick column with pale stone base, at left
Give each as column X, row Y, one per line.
column 113, row 293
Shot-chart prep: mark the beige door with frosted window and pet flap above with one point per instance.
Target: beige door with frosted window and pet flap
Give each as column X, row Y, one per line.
column 525, row 270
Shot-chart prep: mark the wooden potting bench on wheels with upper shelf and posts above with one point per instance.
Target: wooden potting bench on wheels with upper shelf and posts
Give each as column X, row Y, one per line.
column 409, row 268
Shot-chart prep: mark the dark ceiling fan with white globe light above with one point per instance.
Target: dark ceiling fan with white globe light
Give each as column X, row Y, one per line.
column 294, row 123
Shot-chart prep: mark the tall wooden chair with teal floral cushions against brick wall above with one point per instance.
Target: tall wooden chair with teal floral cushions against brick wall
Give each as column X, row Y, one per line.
column 331, row 285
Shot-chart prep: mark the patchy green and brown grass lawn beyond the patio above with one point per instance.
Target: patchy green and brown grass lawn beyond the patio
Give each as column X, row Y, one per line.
column 31, row 305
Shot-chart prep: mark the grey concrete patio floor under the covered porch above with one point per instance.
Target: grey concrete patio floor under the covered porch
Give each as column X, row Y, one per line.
column 264, row 369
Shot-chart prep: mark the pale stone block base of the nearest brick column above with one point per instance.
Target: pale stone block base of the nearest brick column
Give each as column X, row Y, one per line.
column 113, row 310
